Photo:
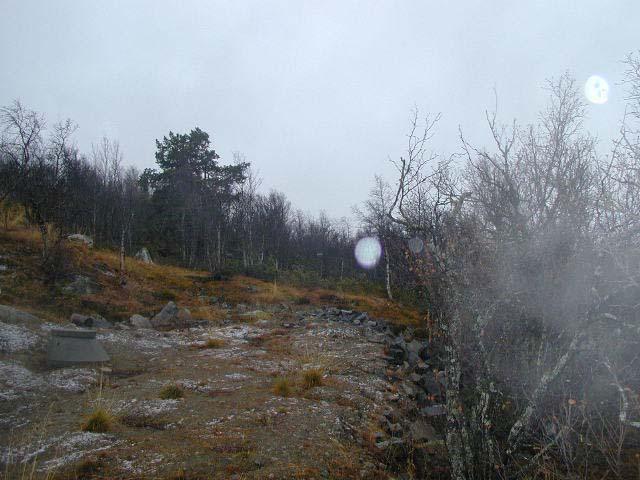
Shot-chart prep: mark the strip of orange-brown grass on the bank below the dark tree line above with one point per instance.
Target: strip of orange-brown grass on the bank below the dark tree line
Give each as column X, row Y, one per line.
column 145, row 282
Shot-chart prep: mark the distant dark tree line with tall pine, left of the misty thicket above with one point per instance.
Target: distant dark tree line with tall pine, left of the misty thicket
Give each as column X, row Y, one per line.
column 191, row 210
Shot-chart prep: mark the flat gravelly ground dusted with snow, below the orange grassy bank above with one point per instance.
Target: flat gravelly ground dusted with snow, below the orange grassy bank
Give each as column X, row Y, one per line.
column 374, row 415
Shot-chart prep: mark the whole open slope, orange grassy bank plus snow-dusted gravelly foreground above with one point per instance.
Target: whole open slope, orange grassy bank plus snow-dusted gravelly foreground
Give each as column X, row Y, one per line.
column 265, row 382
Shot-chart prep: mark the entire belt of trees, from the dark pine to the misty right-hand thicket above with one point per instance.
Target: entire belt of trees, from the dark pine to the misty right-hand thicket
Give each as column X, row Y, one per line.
column 524, row 253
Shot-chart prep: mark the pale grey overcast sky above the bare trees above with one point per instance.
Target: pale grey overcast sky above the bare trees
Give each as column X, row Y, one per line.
column 316, row 94
